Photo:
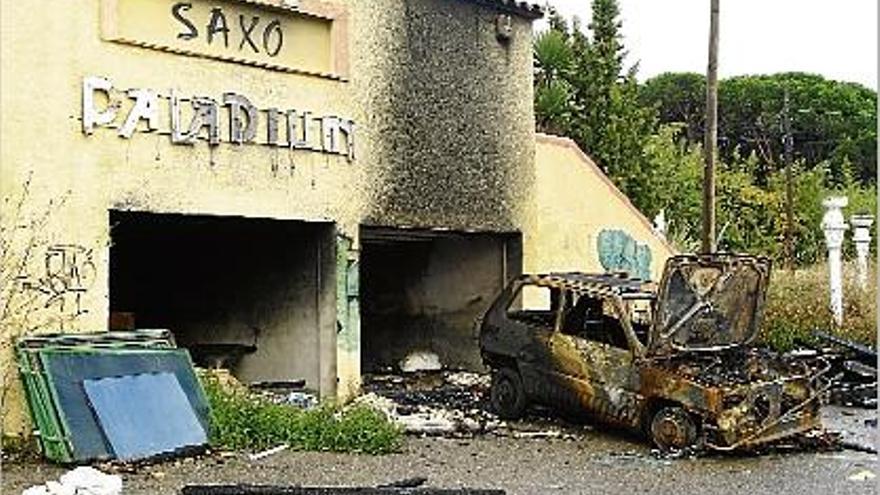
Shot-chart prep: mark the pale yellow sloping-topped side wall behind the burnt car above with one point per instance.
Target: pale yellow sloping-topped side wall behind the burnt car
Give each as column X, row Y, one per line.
column 574, row 201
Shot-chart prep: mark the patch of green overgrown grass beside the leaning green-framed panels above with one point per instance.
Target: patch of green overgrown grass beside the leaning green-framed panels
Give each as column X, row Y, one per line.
column 240, row 421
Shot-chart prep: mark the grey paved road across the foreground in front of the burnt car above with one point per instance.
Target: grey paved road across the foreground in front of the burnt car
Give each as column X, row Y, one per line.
column 593, row 462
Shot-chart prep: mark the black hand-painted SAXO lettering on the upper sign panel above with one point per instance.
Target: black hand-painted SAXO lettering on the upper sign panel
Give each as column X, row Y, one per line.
column 252, row 33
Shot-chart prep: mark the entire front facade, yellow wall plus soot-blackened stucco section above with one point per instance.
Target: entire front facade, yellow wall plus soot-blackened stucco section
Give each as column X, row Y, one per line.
column 46, row 53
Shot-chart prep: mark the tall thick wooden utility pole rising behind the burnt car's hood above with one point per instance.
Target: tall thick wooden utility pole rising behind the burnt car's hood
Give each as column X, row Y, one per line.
column 711, row 140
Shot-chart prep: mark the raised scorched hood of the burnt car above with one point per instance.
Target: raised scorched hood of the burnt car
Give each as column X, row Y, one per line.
column 709, row 302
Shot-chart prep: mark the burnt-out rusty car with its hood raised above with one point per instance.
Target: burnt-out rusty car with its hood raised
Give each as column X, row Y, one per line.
column 673, row 360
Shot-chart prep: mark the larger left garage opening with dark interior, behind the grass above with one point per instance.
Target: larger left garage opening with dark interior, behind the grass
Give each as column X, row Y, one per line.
column 252, row 295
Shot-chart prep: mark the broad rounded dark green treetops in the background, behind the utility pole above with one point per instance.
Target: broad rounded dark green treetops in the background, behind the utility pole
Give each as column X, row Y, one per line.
column 833, row 122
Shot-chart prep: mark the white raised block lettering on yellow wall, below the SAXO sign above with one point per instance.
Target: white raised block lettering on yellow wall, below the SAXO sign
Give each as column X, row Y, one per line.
column 195, row 118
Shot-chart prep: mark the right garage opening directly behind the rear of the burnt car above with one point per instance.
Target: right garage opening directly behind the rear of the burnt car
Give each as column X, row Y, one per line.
column 422, row 290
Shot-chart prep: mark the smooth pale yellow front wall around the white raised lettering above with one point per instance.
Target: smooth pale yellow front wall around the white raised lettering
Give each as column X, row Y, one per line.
column 46, row 52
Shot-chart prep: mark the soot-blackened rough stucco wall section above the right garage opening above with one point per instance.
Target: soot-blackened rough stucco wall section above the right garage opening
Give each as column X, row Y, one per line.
column 457, row 145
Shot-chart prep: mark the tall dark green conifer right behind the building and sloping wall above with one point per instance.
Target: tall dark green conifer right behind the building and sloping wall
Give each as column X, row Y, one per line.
column 582, row 91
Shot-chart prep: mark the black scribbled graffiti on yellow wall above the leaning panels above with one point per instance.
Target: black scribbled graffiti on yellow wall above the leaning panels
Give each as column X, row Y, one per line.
column 67, row 274
